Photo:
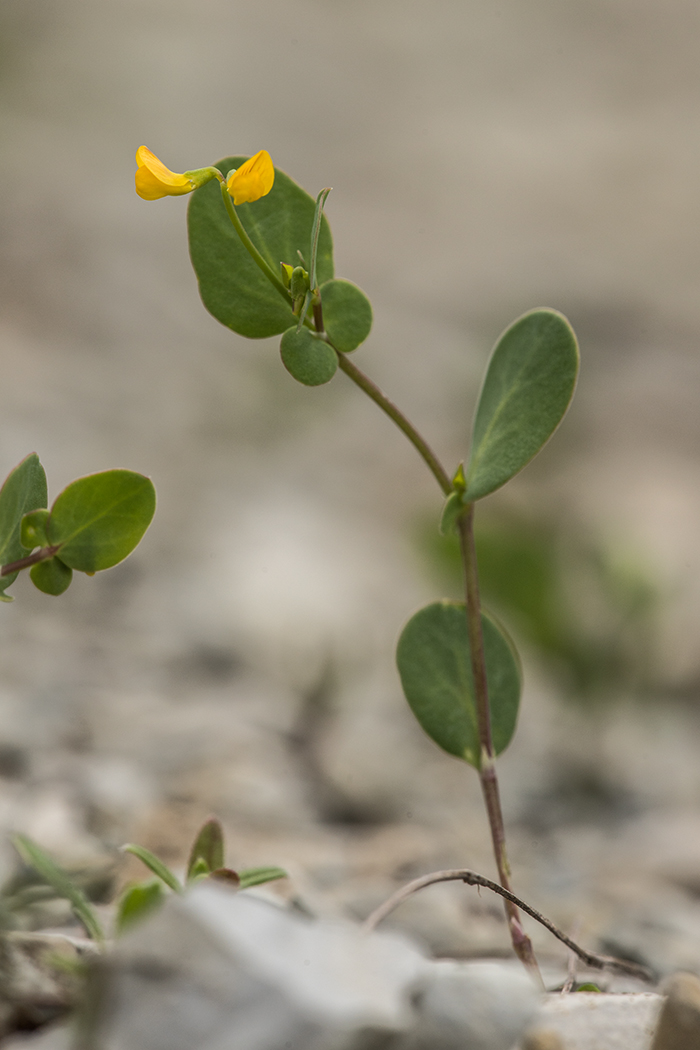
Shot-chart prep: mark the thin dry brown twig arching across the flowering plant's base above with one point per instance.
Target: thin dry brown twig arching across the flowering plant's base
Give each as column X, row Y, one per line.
column 473, row 879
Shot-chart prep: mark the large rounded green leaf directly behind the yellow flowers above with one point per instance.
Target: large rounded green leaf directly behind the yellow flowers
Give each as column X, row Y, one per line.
column 232, row 287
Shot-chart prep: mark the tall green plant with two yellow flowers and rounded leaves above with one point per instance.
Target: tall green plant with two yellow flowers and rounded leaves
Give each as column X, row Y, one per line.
column 459, row 668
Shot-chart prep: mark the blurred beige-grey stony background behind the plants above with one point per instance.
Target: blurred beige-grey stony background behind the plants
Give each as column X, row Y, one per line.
column 486, row 158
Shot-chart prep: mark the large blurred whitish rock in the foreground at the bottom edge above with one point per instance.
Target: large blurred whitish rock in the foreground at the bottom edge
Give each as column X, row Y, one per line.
column 223, row 972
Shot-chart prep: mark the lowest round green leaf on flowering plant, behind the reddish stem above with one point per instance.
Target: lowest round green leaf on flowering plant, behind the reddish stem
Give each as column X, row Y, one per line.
column 435, row 665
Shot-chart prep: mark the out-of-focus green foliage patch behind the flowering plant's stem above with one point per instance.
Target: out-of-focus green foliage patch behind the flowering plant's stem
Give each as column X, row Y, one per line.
column 586, row 611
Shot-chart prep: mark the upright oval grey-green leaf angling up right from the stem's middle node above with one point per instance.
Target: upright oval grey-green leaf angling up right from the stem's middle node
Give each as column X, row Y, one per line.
column 528, row 387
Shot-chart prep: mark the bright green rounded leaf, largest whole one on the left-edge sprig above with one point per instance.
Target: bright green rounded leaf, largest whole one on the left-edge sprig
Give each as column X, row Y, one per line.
column 98, row 520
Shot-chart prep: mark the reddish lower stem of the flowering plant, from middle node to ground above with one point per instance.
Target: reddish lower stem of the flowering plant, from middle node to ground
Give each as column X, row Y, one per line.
column 487, row 774
